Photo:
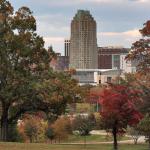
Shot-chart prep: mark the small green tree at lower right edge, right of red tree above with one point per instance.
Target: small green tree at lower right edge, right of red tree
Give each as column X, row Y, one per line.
column 144, row 127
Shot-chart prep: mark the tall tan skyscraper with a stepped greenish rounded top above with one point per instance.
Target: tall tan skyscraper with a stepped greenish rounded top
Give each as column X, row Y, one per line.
column 83, row 42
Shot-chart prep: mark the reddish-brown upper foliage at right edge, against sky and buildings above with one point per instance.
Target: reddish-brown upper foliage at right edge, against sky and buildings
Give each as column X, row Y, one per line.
column 140, row 50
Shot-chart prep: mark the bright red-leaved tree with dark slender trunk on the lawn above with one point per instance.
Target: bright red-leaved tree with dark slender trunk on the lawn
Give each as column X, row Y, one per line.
column 118, row 109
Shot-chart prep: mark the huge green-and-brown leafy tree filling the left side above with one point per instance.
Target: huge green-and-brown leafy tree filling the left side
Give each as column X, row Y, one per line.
column 27, row 83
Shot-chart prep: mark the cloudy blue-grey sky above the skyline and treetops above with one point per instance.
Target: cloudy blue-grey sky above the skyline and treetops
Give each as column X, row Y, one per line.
column 118, row 21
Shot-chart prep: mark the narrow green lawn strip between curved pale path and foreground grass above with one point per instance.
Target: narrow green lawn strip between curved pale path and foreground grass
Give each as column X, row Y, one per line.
column 92, row 138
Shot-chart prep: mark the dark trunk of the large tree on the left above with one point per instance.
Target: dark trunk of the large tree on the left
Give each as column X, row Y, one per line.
column 4, row 124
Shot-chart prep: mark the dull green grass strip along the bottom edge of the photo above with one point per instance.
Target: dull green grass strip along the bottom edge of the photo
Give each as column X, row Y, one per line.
column 20, row 146
